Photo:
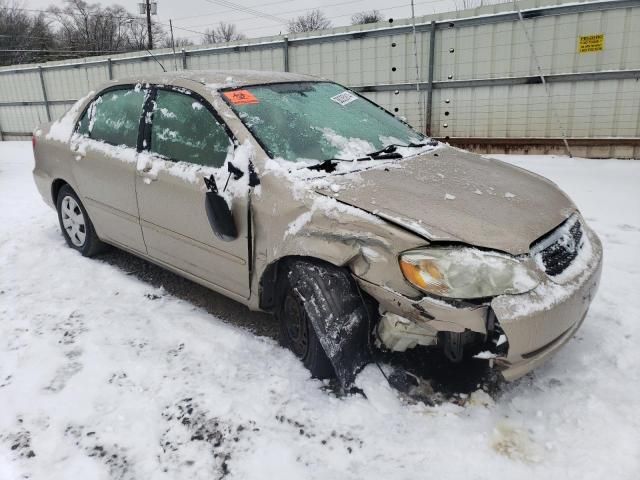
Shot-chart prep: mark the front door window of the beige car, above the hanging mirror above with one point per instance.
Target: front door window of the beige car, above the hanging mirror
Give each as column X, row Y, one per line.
column 184, row 130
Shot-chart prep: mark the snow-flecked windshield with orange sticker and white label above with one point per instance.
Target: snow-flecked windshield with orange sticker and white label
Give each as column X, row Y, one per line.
column 317, row 121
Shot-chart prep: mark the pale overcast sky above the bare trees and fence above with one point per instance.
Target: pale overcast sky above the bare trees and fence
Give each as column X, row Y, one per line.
column 197, row 15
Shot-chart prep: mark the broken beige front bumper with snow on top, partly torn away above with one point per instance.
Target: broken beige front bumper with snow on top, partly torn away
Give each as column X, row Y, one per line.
column 536, row 324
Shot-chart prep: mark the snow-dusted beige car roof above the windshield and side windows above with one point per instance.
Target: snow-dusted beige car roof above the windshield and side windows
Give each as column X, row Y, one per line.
column 218, row 79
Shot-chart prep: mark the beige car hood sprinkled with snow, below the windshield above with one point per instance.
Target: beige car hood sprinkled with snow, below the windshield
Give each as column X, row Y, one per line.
column 452, row 195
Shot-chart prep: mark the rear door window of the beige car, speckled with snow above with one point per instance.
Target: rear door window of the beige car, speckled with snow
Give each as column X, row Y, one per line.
column 114, row 117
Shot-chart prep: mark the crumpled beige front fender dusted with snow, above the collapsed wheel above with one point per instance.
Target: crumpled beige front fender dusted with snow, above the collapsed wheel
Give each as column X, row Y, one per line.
column 313, row 226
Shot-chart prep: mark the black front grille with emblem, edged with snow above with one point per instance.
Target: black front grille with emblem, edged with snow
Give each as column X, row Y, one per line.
column 560, row 248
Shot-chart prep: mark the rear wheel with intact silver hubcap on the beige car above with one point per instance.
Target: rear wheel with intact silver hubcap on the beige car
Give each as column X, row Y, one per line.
column 75, row 223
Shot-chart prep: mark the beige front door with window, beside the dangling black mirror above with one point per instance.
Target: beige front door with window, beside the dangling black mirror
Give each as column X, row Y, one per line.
column 187, row 142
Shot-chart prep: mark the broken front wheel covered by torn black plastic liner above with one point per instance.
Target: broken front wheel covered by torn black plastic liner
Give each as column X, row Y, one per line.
column 320, row 310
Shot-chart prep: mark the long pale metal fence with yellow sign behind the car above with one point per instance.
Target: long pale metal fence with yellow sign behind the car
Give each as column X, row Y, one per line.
column 478, row 81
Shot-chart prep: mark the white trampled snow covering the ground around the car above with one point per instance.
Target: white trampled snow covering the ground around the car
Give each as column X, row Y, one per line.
column 103, row 376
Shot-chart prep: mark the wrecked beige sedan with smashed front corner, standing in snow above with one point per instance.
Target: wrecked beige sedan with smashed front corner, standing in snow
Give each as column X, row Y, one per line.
column 297, row 196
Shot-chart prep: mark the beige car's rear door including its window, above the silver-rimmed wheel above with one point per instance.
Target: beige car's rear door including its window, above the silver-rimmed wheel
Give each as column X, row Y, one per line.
column 105, row 150
